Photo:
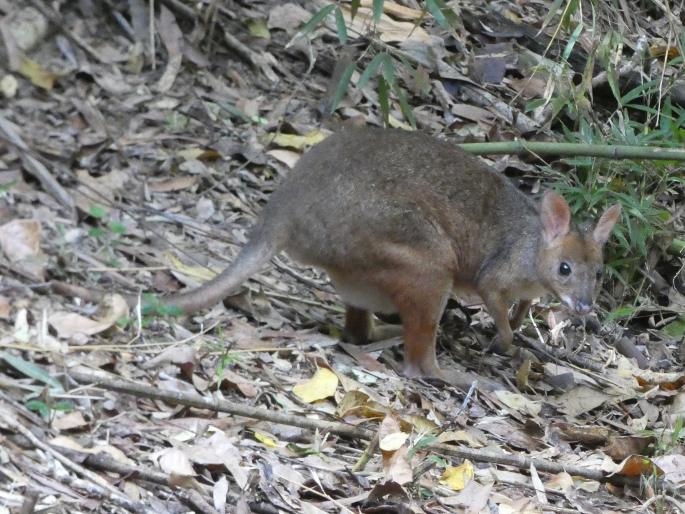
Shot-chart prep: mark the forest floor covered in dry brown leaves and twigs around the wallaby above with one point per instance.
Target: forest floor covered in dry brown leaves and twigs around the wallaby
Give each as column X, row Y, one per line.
column 135, row 154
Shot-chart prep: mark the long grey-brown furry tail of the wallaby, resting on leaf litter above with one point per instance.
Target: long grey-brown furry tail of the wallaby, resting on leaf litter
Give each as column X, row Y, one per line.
column 251, row 259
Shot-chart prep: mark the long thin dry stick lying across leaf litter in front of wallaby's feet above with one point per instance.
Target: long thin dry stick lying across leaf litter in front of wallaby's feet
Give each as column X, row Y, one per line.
column 195, row 400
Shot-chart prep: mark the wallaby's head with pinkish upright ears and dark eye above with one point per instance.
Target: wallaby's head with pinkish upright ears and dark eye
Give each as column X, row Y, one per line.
column 570, row 260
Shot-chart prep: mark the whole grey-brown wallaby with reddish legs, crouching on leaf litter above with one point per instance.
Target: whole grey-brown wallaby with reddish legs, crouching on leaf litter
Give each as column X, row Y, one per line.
column 400, row 219
